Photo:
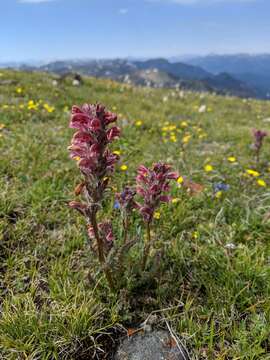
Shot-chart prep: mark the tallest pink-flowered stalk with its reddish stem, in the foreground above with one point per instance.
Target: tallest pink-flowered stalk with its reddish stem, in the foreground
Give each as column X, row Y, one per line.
column 89, row 146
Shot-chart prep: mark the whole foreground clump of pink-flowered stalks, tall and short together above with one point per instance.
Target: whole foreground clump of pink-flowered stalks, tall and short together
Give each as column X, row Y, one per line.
column 90, row 148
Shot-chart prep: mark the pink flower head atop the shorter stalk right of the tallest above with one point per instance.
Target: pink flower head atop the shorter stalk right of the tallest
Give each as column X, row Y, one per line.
column 152, row 186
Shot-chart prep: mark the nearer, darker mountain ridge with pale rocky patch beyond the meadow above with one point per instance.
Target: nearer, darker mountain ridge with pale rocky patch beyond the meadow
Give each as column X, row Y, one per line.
column 155, row 73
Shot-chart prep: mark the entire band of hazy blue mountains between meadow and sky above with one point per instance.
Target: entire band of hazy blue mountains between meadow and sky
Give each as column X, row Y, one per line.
column 238, row 75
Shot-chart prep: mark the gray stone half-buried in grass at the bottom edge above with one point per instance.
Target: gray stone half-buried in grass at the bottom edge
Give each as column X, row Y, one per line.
column 155, row 345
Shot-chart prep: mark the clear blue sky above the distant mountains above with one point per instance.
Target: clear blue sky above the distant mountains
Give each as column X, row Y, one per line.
column 59, row 29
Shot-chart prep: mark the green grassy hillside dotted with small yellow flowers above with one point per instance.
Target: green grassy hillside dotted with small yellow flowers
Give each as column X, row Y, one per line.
column 214, row 285
